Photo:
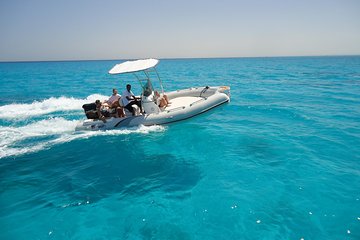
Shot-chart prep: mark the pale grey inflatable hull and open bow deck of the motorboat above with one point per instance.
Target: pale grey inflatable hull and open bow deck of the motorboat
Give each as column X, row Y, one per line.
column 185, row 104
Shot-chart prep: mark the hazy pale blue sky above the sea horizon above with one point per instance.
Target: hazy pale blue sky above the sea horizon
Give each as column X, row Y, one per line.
column 109, row 29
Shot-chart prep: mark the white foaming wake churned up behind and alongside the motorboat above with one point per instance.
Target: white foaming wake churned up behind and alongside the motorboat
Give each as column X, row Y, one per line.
column 58, row 130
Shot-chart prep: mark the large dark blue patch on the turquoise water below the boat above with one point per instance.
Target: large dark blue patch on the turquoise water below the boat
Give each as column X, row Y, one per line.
column 107, row 167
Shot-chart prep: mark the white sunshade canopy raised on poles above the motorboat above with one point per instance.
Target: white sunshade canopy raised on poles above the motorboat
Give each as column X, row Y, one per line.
column 134, row 66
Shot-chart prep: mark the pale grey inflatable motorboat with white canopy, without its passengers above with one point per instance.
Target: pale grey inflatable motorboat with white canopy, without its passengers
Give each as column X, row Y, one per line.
column 184, row 103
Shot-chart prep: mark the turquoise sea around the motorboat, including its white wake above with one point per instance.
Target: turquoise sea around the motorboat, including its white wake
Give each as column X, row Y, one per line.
column 280, row 161
